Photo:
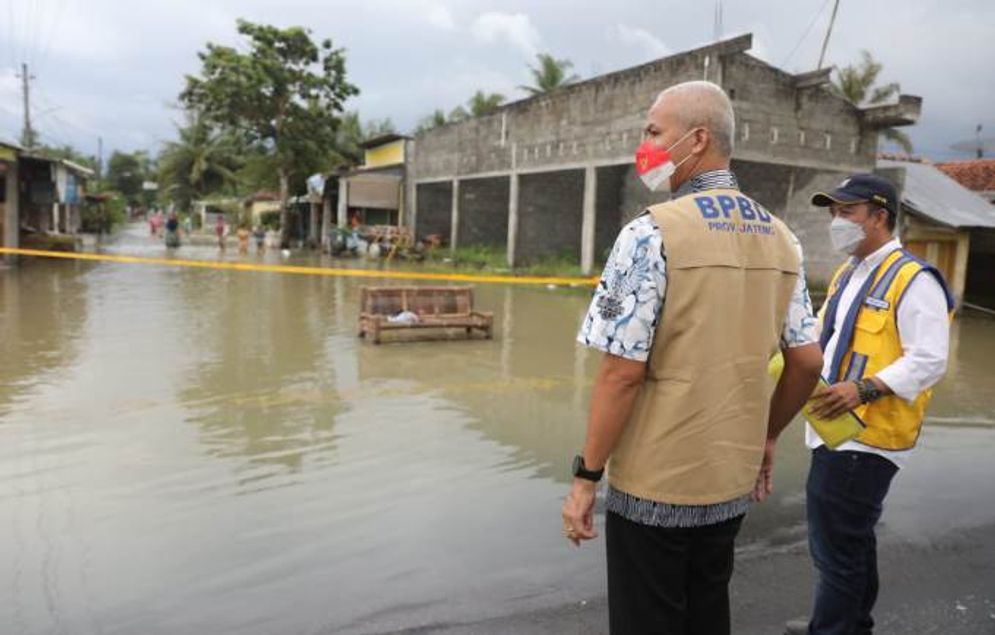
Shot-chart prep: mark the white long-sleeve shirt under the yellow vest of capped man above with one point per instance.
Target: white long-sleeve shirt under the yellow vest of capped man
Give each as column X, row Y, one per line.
column 924, row 329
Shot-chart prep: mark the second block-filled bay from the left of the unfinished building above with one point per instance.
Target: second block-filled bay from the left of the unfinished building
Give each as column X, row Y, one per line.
column 483, row 215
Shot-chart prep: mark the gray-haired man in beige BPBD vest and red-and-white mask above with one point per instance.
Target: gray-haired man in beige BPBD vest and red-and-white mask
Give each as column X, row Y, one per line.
column 696, row 296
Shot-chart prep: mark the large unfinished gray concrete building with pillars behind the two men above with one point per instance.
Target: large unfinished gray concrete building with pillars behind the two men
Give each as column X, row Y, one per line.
column 553, row 175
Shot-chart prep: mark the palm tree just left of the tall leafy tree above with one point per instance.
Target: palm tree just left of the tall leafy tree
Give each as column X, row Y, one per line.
column 202, row 161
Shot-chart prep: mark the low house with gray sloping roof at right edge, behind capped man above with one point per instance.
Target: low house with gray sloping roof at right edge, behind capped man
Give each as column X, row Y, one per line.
column 948, row 225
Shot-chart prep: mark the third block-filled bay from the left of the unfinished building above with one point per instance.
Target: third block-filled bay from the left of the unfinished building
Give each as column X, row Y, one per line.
column 550, row 215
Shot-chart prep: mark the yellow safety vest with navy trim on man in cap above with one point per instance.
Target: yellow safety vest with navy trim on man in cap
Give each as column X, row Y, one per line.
column 869, row 341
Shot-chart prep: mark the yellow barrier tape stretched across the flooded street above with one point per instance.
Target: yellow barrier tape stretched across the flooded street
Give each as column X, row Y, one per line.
column 306, row 271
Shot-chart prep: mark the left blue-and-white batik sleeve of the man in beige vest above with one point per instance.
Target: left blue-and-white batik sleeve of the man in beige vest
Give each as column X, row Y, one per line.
column 628, row 301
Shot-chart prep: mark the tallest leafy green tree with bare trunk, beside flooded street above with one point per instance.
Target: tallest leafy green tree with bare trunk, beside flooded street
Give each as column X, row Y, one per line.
column 284, row 94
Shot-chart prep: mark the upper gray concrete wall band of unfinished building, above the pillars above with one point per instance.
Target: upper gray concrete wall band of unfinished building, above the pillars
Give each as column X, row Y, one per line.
column 600, row 121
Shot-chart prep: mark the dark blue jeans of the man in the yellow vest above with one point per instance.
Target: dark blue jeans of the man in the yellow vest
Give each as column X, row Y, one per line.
column 845, row 493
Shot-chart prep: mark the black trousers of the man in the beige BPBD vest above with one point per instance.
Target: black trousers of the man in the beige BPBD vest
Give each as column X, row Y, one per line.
column 664, row 581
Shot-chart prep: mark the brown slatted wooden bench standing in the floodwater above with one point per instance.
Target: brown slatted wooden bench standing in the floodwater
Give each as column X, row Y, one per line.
column 436, row 307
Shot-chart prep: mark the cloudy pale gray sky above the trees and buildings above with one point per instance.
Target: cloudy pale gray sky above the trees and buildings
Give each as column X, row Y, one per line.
column 113, row 69
